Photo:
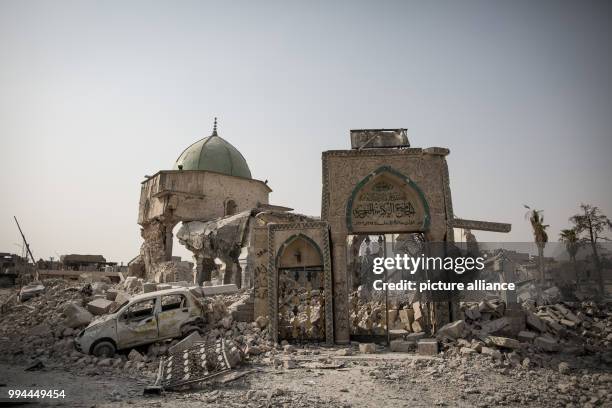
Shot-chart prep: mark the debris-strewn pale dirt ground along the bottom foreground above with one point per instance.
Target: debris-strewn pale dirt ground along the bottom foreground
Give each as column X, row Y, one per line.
column 384, row 379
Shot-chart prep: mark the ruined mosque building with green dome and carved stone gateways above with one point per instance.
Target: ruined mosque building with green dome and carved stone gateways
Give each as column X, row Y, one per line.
column 301, row 270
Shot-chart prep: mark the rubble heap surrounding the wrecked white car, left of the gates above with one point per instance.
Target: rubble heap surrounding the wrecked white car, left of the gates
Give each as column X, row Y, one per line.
column 41, row 330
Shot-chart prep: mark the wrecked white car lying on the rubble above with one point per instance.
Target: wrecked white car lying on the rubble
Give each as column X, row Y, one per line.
column 144, row 319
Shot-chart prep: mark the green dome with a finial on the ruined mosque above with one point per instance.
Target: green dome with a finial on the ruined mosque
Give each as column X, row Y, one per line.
column 214, row 153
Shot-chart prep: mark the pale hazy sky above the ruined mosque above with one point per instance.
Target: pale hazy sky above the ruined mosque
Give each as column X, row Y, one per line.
column 97, row 94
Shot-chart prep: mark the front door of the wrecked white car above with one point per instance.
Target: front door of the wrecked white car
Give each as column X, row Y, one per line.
column 137, row 324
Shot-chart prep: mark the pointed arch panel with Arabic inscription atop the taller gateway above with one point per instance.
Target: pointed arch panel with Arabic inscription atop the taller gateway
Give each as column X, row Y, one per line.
column 387, row 201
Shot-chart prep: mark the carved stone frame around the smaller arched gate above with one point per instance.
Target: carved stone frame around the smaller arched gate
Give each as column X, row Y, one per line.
column 280, row 236
